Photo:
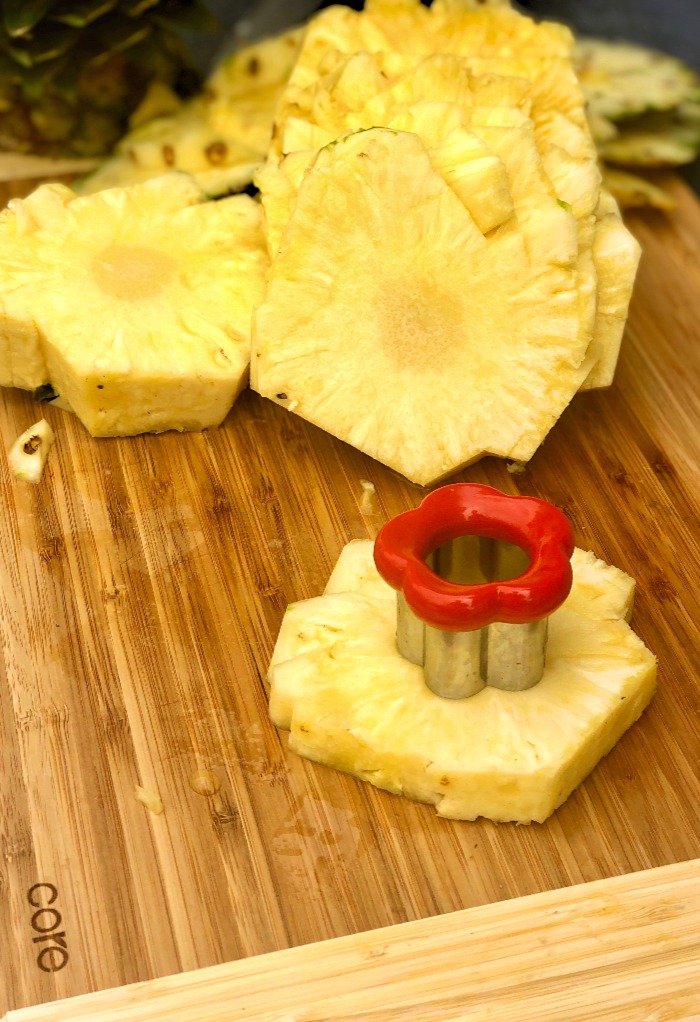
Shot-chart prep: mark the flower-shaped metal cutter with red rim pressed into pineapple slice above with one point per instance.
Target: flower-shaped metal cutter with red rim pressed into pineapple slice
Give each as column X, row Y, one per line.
column 478, row 574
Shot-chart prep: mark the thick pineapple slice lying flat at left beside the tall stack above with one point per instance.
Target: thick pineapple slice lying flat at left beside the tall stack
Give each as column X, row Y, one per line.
column 141, row 300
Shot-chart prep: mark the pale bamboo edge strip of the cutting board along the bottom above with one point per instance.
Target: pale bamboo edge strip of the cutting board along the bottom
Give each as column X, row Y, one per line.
column 620, row 950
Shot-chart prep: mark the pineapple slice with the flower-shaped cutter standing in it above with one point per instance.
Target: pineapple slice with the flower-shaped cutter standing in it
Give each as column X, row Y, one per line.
column 353, row 703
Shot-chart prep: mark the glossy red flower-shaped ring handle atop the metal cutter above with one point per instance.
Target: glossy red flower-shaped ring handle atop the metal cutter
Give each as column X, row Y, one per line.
column 472, row 509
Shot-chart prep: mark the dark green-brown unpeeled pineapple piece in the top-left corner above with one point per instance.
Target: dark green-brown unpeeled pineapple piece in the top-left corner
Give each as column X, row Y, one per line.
column 72, row 72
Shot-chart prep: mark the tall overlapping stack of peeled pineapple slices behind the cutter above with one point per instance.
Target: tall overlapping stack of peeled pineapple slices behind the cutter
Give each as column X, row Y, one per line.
column 447, row 271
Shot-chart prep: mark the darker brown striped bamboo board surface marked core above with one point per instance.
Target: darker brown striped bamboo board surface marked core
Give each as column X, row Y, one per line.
column 145, row 582
